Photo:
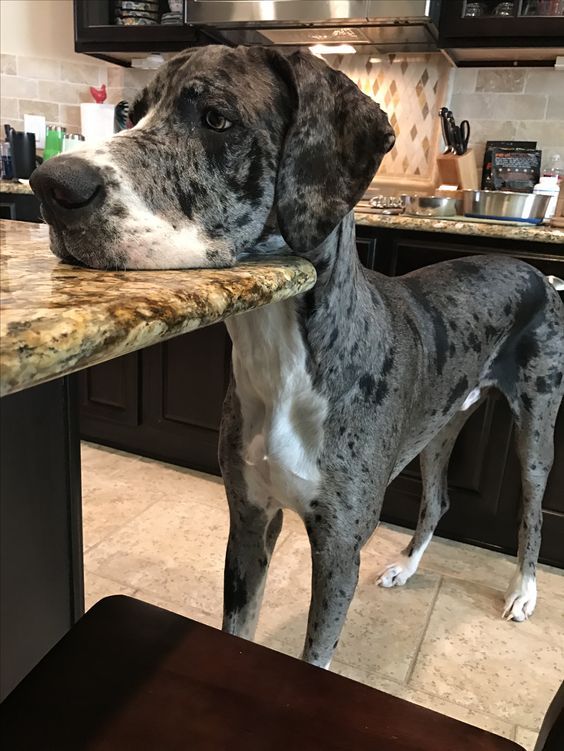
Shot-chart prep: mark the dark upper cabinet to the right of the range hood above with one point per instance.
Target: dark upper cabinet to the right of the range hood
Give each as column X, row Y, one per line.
column 488, row 30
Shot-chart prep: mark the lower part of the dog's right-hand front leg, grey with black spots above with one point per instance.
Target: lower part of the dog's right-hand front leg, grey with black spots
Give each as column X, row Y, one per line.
column 335, row 565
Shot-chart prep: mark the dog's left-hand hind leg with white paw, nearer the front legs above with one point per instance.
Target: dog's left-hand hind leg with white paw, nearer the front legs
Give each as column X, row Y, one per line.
column 434, row 461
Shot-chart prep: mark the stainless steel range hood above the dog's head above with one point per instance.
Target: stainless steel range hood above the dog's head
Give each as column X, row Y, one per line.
column 370, row 26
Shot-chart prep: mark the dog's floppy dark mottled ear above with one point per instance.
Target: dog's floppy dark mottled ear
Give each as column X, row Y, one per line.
column 333, row 147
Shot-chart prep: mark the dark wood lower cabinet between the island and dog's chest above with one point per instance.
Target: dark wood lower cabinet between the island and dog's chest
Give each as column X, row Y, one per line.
column 163, row 402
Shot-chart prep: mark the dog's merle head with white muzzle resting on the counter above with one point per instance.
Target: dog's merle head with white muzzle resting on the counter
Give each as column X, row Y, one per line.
column 228, row 147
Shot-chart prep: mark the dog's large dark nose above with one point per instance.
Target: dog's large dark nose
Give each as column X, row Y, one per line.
column 68, row 187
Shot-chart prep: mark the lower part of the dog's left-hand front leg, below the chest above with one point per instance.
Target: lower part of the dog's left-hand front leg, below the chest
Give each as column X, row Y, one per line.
column 252, row 536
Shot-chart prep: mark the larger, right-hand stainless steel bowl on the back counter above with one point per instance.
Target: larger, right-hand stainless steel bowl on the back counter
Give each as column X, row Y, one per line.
column 504, row 205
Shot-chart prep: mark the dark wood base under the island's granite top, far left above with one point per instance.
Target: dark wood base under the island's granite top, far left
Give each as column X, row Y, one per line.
column 41, row 576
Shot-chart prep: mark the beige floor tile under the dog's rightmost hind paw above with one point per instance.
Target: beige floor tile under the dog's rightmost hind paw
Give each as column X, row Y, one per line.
column 509, row 670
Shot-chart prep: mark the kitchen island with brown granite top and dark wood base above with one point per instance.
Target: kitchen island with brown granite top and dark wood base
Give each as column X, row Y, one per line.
column 57, row 319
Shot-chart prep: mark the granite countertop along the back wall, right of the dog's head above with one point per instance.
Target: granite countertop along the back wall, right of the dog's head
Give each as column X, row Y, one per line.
column 507, row 231
